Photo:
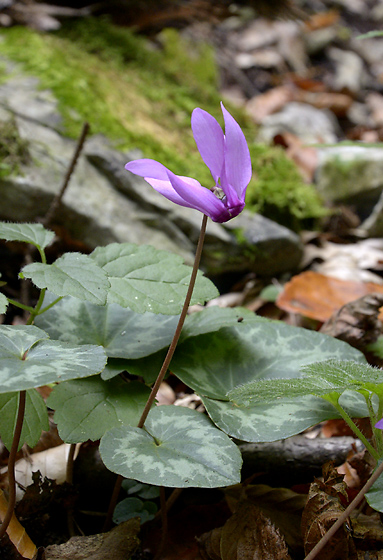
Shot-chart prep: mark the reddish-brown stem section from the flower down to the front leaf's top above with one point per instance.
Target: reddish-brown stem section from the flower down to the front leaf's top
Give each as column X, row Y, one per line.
column 180, row 324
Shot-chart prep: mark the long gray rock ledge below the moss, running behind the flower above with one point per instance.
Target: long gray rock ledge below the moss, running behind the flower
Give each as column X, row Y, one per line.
column 104, row 203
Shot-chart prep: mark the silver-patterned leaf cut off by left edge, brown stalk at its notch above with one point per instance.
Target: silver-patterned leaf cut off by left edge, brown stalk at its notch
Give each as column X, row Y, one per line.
column 28, row 359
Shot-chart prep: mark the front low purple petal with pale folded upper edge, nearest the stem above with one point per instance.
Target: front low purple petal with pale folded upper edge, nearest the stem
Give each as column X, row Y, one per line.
column 196, row 195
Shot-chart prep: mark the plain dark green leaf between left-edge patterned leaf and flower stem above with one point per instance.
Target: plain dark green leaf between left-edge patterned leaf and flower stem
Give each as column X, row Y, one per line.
column 87, row 408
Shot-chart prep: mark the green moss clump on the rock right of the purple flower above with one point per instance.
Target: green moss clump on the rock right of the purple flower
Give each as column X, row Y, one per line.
column 279, row 192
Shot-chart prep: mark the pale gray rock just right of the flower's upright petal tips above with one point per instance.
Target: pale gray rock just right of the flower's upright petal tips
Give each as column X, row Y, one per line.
column 311, row 125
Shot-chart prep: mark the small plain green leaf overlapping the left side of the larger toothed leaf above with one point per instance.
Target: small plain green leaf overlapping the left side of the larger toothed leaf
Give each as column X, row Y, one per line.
column 73, row 274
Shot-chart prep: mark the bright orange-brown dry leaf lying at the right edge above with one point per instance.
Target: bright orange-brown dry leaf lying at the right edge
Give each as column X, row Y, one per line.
column 318, row 296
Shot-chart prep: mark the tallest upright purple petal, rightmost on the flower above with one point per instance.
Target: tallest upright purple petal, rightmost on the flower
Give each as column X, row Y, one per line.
column 237, row 156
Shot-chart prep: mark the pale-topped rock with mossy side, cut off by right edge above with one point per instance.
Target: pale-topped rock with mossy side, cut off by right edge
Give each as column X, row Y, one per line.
column 350, row 174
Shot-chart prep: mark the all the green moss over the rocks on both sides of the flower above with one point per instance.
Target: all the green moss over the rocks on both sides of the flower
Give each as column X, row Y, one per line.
column 141, row 94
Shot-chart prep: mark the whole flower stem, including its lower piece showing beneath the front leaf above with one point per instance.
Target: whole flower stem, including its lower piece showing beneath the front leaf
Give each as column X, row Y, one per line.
column 165, row 365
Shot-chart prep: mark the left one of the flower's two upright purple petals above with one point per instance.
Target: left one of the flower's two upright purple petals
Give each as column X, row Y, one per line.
column 210, row 142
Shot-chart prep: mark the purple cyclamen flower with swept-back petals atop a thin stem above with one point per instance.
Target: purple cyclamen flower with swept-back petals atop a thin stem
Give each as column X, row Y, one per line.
column 228, row 159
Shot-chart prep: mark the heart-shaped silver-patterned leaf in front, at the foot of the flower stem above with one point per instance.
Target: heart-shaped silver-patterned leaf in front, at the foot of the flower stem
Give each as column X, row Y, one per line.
column 178, row 447
